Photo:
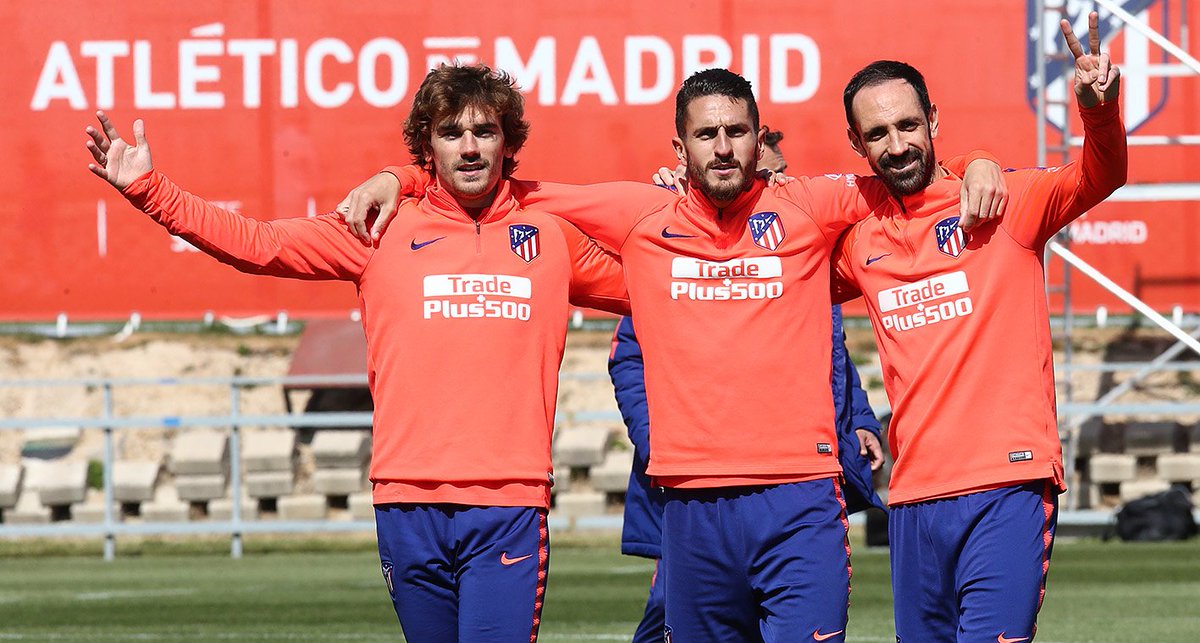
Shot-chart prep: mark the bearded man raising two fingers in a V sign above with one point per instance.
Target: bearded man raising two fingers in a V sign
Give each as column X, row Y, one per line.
column 963, row 330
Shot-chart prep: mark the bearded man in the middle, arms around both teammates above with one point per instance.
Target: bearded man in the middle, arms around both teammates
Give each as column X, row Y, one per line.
column 731, row 287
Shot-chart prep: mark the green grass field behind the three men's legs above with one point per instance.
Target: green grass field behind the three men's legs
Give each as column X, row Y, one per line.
column 1099, row 592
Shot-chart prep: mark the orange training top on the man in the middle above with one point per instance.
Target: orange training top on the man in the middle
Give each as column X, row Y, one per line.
column 733, row 310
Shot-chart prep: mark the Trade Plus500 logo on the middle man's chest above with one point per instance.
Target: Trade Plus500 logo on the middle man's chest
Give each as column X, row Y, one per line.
column 755, row 278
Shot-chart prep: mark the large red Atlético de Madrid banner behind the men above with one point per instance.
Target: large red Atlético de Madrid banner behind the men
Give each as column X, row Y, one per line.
column 278, row 109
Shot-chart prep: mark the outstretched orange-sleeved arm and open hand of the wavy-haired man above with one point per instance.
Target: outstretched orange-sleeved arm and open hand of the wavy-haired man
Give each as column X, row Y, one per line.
column 309, row 249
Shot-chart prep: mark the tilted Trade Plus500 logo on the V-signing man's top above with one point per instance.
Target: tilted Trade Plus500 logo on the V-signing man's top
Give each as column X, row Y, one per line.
column 926, row 303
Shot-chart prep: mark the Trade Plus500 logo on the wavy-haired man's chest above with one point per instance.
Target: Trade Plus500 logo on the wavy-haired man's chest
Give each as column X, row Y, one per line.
column 478, row 297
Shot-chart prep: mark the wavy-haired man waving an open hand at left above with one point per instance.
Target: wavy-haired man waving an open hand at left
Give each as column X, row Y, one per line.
column 465, row 309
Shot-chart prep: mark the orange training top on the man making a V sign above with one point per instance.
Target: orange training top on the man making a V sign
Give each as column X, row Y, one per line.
column 962, row 322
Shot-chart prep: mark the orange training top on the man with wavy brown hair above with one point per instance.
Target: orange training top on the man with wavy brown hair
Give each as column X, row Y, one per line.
column 465, row 322
